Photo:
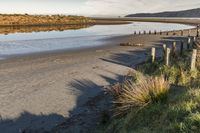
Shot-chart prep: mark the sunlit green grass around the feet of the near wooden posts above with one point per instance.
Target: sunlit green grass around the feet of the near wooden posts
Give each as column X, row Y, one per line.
column 178, row 73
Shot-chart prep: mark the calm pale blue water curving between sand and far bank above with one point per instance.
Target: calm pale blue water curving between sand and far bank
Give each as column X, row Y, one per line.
column 66, row 39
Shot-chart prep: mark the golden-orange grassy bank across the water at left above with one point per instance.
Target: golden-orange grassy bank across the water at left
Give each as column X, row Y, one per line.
column 35, row 20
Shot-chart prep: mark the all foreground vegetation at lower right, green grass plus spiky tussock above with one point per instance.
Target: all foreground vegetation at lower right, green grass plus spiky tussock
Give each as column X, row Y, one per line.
column 149, row 106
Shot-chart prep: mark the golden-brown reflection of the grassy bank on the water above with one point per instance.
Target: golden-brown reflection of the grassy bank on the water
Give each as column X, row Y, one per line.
column 28, row 29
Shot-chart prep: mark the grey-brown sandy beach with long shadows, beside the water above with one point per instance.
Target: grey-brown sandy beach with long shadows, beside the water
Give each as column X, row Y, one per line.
column 40, row 91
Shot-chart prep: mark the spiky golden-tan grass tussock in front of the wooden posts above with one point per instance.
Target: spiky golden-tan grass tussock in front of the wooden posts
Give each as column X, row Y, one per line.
column 138, row 94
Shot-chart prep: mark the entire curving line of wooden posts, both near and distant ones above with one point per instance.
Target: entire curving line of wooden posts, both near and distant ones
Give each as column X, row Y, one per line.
column 172, row 52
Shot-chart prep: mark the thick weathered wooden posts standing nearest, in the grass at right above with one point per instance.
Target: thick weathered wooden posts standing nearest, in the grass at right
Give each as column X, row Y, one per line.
column 167, row 53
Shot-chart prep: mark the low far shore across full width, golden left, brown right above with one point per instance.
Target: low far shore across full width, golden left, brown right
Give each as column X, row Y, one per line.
column 7, row 20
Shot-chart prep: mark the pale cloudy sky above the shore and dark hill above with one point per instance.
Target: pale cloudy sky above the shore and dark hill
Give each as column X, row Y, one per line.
column 94, row 7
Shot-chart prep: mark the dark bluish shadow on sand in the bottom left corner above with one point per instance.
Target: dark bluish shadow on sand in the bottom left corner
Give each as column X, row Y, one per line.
column 30, row 123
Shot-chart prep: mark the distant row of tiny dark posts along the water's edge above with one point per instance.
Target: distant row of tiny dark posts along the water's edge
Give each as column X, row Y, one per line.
column 161, row 33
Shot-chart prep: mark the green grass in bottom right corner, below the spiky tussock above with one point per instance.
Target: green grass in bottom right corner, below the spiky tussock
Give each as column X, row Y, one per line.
column 180, row 114
